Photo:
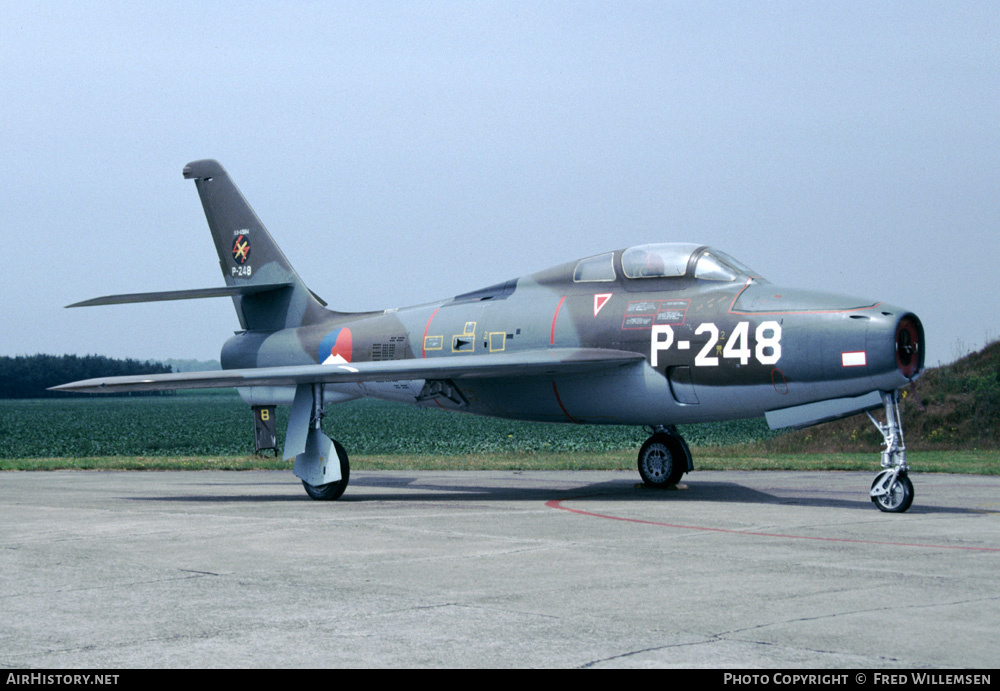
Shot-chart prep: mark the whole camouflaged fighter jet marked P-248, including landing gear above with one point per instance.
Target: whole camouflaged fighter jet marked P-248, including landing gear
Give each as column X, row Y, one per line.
column 654, row 335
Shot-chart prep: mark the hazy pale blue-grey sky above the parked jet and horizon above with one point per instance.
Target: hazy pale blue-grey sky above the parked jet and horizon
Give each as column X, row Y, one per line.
column 405, row 152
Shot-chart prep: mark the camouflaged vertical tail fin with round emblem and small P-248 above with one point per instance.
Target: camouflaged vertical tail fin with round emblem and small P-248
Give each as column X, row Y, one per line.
column 249, row 256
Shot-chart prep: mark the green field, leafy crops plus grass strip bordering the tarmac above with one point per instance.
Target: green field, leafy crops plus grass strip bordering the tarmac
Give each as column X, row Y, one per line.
column 216, row 432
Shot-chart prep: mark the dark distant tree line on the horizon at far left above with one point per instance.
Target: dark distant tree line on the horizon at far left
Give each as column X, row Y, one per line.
column 29, row 376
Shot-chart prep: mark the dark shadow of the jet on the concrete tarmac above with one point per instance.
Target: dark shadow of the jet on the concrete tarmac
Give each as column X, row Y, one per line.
column 416, row 489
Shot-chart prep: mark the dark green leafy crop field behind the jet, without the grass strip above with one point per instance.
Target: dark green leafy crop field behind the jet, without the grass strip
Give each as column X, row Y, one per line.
column 222, row 425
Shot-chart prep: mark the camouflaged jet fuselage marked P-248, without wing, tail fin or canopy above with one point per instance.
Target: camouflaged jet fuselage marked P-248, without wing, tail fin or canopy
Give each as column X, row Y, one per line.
column 713, row 350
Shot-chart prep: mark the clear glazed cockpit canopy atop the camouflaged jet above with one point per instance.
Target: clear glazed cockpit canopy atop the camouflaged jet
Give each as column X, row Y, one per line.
column 663, row 260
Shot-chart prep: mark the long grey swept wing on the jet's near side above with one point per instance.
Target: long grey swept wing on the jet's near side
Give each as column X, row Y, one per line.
column 550, row 362
